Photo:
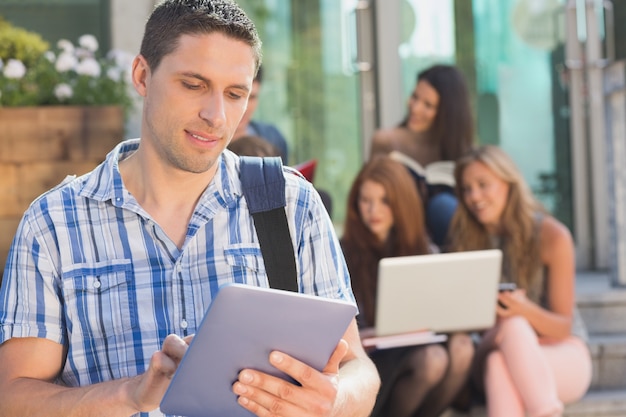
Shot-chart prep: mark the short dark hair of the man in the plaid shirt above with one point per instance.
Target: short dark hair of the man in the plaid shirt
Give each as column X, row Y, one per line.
column 173, row 18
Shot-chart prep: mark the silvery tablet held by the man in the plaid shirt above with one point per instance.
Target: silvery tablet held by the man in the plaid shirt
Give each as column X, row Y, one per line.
column 239, row 330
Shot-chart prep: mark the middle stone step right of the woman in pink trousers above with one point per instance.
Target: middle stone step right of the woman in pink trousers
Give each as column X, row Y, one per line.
column 608, row 353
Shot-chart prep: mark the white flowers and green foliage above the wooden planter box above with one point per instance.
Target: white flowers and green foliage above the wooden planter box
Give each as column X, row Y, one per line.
column 32, row 74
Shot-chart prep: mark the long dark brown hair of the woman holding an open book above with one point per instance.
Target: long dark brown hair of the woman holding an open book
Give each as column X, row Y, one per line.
column 453, row 127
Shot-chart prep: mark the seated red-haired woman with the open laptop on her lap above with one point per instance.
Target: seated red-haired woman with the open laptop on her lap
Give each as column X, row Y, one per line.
column 385, row 219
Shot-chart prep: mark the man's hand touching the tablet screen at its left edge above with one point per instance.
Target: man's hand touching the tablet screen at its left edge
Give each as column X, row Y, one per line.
column 148, row 389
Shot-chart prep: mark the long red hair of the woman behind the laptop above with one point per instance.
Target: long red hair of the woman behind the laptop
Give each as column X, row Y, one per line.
column 362, row 248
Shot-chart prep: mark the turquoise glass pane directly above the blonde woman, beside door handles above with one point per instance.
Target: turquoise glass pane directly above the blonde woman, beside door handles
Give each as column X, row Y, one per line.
column 516, row 43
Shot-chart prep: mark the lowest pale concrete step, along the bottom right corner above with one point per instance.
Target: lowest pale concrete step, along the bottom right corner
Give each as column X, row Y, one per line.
column 605, row 403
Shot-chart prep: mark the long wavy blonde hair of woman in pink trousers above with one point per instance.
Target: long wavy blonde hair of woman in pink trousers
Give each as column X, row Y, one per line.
column 518, row 230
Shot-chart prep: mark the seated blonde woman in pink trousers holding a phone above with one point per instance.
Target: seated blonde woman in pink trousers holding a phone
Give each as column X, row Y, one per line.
column 535, row 358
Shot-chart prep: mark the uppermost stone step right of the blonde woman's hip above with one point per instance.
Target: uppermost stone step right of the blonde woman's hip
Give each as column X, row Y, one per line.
column 602, row 306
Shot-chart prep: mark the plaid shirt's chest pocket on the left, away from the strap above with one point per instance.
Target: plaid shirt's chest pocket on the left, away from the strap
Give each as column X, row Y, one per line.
column 100, row 297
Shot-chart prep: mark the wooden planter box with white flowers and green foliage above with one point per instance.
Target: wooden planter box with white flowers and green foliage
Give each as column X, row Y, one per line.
column 61, row 111
